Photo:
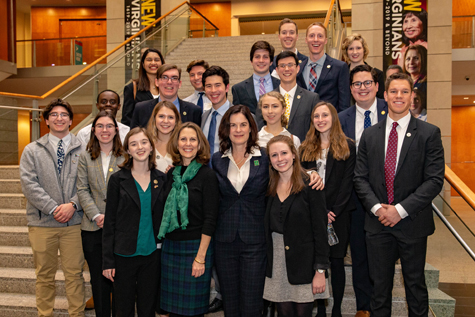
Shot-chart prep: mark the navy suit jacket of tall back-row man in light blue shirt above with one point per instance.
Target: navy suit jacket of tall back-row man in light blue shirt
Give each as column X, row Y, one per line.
column 333, row 84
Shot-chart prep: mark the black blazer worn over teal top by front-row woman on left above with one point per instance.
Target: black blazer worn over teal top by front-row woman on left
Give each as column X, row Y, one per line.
column 122, row 216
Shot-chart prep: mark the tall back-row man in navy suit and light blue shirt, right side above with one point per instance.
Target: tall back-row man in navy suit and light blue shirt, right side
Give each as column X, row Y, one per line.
column 322, row 74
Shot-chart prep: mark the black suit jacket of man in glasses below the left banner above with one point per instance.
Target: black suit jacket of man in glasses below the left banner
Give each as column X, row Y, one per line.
column 143, row 111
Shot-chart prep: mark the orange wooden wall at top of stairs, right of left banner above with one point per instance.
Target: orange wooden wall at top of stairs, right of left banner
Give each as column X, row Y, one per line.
column 218, row 13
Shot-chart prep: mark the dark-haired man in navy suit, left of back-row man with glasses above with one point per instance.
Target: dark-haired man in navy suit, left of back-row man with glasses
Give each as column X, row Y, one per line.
column 247, row 92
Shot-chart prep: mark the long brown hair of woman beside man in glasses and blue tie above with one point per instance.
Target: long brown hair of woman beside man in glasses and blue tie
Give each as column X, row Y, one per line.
column 312, row 146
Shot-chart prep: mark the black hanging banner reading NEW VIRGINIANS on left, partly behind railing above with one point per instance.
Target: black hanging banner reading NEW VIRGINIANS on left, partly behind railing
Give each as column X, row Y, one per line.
column 138, row 15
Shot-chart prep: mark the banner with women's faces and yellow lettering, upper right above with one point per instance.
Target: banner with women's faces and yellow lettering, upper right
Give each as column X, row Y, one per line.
column 405, row 44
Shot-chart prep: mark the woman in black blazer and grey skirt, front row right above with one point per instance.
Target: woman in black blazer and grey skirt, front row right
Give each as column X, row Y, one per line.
column 295, row 225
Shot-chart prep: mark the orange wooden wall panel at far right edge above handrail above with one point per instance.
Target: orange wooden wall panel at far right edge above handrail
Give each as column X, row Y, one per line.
column 463, row 138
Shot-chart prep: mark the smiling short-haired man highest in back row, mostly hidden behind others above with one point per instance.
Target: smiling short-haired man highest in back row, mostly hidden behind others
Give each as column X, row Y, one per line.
column 288, row 36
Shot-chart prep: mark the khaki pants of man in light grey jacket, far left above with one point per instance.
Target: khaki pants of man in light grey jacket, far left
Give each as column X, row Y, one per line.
column 45, row 243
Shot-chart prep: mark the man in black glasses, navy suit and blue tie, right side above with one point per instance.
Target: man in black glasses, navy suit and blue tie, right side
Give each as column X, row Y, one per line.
column 367, row 111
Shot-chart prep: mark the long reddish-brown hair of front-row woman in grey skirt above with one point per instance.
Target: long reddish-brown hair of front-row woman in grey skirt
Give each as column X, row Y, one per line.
column 298, row 174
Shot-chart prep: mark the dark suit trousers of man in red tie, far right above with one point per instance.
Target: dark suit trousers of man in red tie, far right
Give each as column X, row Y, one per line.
column 384, row 248
